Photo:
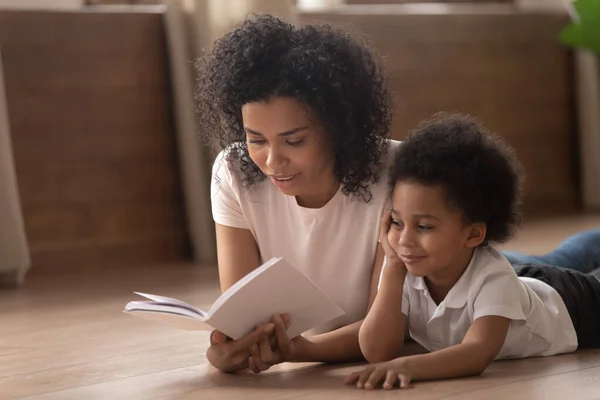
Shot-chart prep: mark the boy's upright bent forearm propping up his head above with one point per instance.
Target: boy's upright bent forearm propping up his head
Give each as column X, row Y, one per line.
column 381, row 335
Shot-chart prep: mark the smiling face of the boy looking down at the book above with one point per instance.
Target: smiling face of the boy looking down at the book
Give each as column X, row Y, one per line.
column 430, row 237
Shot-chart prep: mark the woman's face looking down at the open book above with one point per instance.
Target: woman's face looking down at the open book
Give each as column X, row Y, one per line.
column 287, row 141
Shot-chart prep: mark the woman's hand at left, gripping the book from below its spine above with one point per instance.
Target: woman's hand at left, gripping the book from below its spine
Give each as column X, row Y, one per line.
column 232, row 355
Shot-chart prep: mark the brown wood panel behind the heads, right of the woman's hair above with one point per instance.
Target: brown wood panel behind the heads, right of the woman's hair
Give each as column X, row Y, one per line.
column 502, row 66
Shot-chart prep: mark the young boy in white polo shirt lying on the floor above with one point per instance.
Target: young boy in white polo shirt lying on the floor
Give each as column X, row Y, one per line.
column 455, row 194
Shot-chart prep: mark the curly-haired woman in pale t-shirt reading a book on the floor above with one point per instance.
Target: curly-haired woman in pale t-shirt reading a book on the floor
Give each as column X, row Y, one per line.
column 301, row 116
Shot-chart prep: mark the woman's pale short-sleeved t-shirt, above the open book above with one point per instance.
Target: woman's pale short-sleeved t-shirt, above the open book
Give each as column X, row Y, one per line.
column 334, row 245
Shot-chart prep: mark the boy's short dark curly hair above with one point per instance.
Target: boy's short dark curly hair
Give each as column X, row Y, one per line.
column 477, row 170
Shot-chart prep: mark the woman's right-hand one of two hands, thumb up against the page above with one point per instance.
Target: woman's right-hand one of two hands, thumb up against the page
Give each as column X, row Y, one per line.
column 277, row 349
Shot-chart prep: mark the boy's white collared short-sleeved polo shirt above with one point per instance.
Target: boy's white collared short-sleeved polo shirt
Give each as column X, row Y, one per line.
column 540, row 323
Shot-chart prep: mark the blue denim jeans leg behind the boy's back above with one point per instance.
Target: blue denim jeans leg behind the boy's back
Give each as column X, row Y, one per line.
column 580, row 252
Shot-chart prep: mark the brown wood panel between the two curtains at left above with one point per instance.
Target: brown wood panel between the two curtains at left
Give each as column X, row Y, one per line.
column 89, row 102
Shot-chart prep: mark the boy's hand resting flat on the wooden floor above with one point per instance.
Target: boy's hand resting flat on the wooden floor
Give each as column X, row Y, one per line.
column 392, row 373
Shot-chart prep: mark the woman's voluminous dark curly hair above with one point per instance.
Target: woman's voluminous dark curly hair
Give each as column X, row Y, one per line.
column 322, row 68
